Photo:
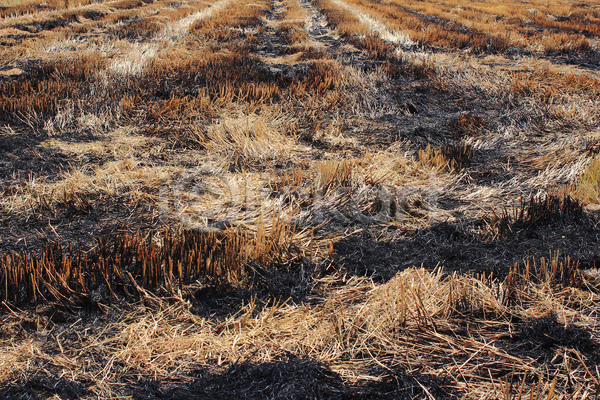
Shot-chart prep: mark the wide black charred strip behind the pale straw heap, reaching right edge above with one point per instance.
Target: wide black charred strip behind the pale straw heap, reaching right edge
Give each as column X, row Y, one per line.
column 463, row 249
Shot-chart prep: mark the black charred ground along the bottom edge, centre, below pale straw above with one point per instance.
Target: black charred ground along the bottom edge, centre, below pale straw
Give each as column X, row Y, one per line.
column 295, row 378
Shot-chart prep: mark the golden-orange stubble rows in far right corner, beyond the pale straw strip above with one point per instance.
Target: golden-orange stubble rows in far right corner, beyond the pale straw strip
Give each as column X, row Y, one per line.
column 486, row 27
